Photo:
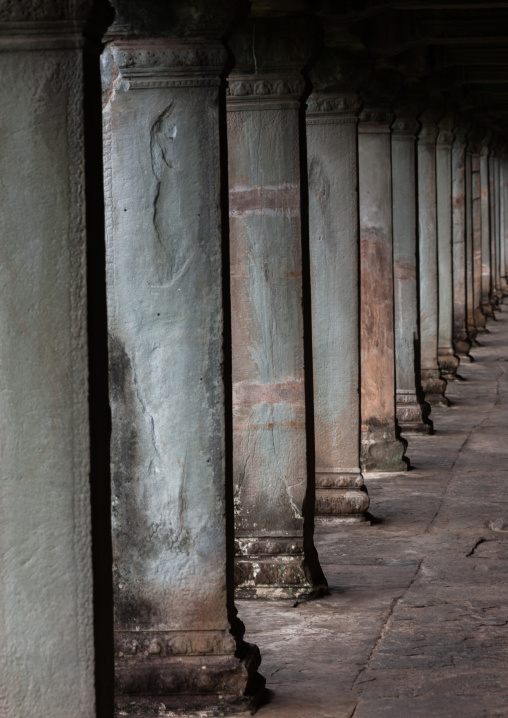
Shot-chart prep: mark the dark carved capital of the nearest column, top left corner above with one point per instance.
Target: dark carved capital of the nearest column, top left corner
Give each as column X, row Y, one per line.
column 42, row 24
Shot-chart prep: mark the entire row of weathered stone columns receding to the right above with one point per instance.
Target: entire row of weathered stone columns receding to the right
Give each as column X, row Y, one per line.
column 365, row 246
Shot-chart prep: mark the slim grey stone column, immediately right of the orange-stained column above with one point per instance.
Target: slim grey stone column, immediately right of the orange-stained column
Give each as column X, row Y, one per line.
column 412, row 410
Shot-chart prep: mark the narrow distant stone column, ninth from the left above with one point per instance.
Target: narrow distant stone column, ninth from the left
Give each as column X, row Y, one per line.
column 461, row 340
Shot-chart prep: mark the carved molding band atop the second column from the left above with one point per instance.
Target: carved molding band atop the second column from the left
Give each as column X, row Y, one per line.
column 169, row 63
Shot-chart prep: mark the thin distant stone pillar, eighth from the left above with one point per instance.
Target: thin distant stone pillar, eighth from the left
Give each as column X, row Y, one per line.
column 447, row 360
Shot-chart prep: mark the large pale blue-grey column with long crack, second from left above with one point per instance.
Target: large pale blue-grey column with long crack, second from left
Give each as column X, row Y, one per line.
column 173, row 642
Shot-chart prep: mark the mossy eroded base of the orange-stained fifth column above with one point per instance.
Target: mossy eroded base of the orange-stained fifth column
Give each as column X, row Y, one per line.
column 381, row 450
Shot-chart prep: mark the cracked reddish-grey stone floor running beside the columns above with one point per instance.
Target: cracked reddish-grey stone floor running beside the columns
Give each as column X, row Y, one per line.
column 416, row 624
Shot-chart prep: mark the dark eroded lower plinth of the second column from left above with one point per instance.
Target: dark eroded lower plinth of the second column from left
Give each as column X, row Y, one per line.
column 154, row 684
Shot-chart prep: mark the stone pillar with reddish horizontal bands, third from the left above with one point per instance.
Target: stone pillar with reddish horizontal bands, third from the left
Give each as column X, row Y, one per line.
column 275, row 555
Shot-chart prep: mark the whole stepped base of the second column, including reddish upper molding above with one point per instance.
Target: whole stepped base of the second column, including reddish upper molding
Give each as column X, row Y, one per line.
column 152, row 683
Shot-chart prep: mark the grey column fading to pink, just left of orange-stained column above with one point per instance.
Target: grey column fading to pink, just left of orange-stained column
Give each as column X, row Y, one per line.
column 334, row 257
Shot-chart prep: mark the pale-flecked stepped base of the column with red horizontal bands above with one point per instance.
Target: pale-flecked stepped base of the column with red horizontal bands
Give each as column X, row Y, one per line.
column 272, row 567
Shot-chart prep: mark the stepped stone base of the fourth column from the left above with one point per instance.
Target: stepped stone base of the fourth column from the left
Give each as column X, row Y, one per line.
column 341, row 497
